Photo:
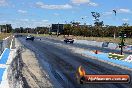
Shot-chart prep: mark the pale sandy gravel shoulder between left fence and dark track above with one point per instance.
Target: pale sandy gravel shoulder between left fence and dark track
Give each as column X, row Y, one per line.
column 34, row 75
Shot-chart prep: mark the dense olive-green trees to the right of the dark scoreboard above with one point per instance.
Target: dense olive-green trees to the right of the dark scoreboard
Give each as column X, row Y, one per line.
column 96, row 31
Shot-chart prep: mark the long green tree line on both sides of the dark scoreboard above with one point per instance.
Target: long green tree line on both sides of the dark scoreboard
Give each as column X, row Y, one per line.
column 81, row 30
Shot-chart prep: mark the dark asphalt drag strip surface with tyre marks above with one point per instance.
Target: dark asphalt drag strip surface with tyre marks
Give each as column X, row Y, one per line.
column 62, row 63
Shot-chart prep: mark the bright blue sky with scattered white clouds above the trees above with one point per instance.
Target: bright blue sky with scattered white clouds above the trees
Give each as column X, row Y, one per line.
column 33, row 13
